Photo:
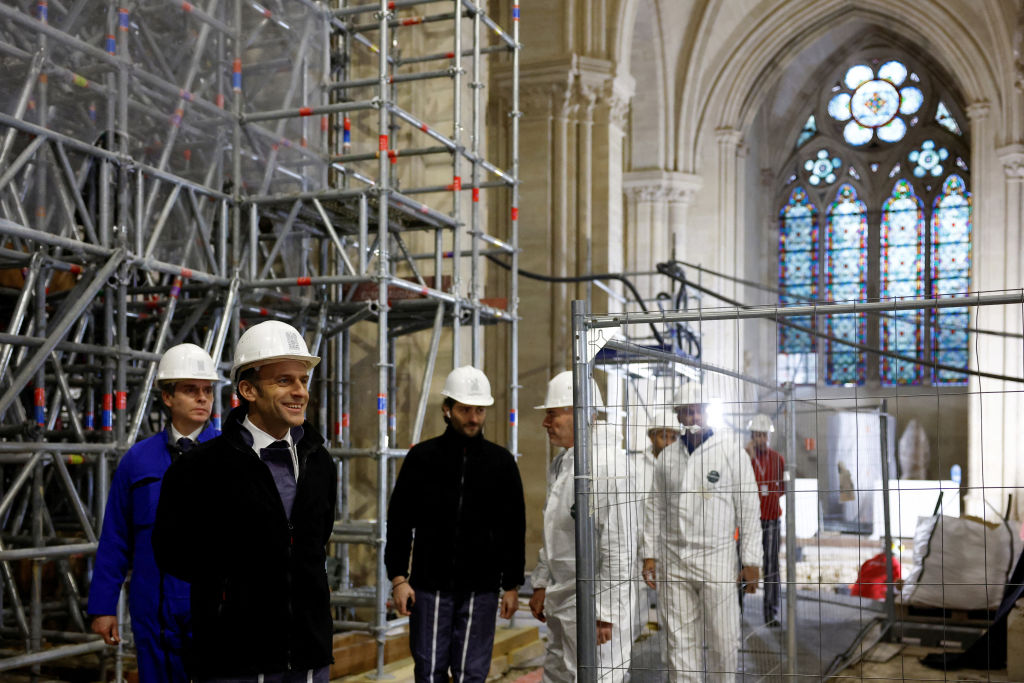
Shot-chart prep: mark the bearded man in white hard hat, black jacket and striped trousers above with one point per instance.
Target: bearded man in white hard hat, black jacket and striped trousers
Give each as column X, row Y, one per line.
column 462, row 498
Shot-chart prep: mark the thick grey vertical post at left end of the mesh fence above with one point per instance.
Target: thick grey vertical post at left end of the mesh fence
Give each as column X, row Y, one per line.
column 585, row 546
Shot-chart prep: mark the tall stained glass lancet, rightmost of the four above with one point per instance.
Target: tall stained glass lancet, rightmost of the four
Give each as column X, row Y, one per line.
column 951, row 275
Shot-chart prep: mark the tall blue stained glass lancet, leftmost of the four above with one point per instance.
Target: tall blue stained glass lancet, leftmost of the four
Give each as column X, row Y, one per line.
column 798, row 267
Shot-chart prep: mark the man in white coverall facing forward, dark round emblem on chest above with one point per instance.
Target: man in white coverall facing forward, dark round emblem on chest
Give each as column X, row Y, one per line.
column 703, row 490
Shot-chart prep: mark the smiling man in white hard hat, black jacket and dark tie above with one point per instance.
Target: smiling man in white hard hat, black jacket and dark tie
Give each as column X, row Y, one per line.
column 246, row 519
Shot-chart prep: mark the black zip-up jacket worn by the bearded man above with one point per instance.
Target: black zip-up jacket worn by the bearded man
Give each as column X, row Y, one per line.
column 463, row 499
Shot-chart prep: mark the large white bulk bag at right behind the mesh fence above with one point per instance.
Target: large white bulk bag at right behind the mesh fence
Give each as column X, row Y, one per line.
column 961, row 564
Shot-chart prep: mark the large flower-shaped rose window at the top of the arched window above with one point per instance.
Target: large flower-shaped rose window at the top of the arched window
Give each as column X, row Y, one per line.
column 876, row 103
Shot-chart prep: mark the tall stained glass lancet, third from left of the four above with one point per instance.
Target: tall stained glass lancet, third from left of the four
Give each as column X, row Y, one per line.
column 903, row 262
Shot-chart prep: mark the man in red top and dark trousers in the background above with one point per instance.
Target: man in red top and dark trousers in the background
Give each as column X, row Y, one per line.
column 769, row 469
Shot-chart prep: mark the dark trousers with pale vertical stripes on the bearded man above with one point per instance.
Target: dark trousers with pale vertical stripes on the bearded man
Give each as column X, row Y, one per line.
column 453, row 632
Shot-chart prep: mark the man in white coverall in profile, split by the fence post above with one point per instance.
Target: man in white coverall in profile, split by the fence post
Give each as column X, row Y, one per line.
column 554, row 579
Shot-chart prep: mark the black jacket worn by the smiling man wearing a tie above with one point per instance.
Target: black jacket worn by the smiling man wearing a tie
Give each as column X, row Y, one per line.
column 261, row 602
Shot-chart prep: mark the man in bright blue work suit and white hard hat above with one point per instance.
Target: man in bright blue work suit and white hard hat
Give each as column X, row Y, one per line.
column 159, row 604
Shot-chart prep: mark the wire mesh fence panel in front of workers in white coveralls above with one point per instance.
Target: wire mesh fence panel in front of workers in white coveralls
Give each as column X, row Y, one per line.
column 735, row 525
